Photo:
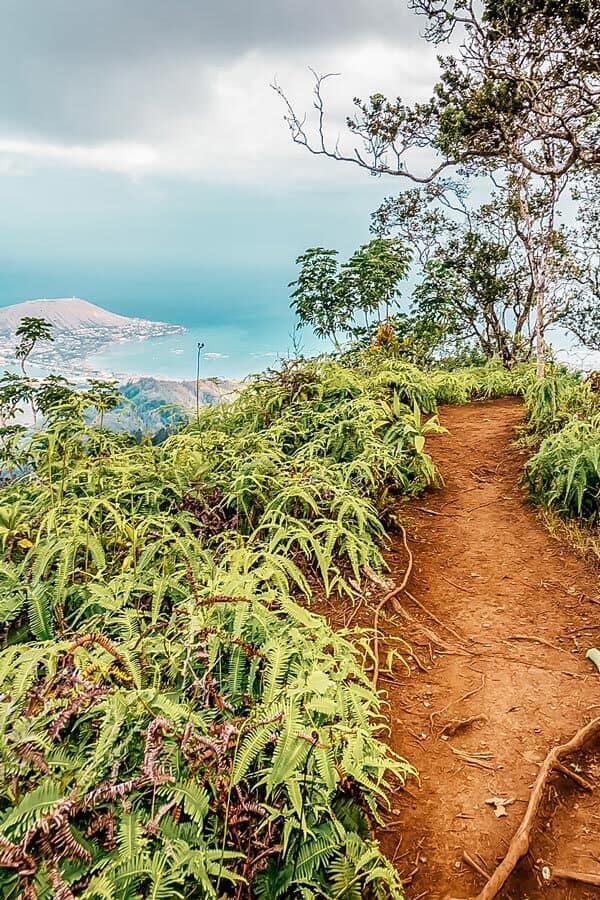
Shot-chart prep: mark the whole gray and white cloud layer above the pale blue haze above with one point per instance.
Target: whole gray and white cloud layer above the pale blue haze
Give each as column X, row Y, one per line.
column 181, row 87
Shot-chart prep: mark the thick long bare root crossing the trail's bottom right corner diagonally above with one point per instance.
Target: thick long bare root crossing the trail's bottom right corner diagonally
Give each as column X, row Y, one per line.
column 521, row 841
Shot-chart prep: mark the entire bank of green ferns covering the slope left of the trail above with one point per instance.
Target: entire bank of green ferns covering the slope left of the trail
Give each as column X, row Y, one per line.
column 174, row 723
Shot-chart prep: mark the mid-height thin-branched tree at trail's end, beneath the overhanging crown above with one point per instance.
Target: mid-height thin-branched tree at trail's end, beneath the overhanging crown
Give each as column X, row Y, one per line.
column 476, row 283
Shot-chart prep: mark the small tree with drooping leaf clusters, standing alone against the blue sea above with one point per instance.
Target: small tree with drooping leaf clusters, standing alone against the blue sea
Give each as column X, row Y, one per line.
column 329, row 297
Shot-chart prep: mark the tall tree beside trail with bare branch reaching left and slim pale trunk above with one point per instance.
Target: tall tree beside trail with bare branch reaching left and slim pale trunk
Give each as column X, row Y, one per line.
column 521, row 92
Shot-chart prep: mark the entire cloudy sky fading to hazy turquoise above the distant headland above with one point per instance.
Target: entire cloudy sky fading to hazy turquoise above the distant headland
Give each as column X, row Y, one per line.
column 144, row 161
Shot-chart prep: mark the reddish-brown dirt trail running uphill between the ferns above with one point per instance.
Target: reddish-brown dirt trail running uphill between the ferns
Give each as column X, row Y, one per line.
column 527, row 610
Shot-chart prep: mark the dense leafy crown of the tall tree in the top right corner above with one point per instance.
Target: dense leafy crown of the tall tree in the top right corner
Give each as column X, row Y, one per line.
column 524, row 85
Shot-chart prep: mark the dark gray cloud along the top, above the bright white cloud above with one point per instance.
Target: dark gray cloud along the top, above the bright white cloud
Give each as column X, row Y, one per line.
column 88, row 69
